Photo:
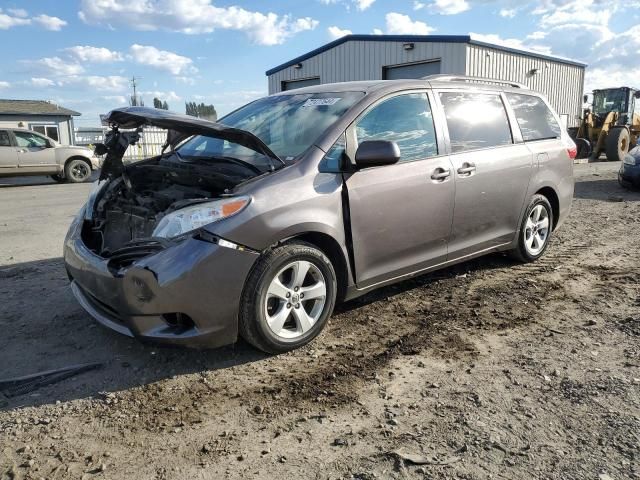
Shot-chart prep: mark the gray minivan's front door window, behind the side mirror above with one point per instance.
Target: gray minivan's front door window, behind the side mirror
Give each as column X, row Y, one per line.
column 406, row 120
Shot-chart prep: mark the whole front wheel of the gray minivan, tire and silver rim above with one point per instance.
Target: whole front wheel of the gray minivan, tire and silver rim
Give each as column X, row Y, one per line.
column 274, row 315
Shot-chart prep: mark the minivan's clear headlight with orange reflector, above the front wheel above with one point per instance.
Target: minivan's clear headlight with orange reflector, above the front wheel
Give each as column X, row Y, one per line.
column 196, row 216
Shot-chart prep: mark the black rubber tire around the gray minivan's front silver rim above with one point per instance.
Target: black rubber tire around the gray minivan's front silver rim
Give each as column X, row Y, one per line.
column 253, row 325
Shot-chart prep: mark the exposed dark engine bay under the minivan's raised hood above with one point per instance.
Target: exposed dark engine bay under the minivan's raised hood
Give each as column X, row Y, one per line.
column 132, row 204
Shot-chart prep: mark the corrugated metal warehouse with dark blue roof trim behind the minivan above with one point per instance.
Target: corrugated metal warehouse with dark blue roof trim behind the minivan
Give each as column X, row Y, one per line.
column 375, row 57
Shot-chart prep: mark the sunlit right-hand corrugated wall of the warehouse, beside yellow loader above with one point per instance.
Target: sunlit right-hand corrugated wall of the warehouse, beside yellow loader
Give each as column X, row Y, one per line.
column 563, row 84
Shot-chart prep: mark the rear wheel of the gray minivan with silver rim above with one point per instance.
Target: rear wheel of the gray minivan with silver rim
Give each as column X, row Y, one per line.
column 533, row 242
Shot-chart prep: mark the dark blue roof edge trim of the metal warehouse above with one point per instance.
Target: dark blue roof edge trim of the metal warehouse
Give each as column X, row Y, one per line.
column 419, row 38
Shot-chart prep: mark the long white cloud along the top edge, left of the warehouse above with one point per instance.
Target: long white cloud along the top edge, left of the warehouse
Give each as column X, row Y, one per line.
column 193, row 17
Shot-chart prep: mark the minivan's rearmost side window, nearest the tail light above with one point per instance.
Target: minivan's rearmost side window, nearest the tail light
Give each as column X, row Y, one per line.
column 535, row 119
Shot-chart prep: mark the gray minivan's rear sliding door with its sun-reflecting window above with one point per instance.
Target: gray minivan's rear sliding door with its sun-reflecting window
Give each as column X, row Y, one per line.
column 492, row 172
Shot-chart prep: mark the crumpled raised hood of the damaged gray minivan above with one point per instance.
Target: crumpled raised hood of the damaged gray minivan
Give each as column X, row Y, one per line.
column 181, row 127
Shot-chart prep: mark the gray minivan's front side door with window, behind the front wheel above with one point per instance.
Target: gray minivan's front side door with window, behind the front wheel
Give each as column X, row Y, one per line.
column 400, row 214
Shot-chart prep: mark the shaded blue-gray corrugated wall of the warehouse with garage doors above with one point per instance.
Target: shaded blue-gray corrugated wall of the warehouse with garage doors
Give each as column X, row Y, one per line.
column 364, row 60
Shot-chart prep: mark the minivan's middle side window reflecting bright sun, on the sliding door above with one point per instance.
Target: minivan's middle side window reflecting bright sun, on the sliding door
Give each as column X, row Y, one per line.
column 475, row 120
